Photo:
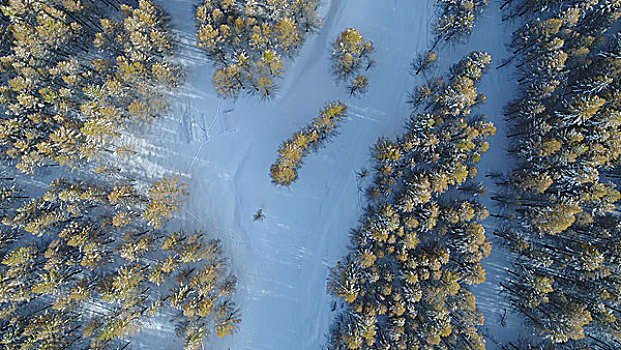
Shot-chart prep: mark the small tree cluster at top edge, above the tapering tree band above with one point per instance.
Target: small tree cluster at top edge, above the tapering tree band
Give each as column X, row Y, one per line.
column 457, row 19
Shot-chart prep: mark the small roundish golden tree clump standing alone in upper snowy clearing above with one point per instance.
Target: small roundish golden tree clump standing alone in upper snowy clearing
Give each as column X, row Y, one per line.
column 351, row 54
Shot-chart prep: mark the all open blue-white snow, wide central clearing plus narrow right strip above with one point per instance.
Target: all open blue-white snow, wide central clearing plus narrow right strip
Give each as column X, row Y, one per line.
column 224, row 149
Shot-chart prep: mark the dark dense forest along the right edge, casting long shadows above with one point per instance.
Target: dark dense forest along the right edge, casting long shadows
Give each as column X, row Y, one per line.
column 561, row 202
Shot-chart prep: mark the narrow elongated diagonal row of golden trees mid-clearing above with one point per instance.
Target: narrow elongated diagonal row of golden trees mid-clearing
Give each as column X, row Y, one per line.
column 312, row 137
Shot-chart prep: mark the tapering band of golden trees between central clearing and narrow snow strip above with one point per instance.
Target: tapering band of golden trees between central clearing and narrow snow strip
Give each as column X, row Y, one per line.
column 420, row 241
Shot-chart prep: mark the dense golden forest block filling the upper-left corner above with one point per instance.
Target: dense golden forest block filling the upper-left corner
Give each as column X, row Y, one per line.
column 75, row 73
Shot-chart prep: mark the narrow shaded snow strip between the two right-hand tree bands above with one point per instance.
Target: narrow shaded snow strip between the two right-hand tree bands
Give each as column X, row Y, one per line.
column 499, row 85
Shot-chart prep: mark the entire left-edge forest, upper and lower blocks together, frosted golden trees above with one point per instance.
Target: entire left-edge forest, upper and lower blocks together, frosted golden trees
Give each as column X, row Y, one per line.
column 87, row 261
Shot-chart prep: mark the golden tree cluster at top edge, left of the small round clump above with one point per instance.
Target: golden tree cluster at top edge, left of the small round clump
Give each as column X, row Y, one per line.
column 250, row 40
